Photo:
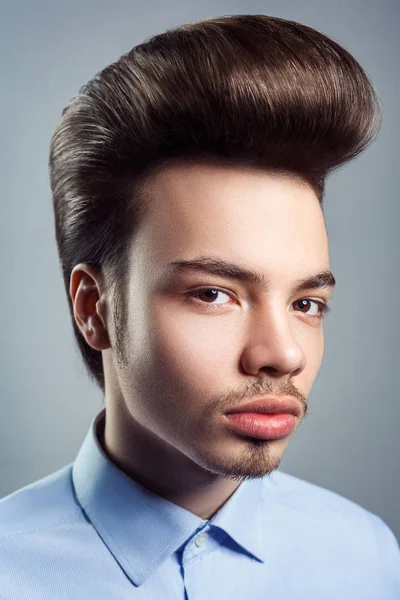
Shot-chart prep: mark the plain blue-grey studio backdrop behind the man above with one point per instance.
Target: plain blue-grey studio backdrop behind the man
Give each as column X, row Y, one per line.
column 350, row 442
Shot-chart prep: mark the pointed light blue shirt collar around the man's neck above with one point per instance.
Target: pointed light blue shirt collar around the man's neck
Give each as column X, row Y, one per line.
column 141, row 529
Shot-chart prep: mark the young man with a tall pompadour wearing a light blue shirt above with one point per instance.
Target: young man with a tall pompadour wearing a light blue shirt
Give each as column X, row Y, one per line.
column 188, row 181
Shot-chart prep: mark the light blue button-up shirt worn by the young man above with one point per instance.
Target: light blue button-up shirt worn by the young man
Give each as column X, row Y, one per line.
column 89, row 532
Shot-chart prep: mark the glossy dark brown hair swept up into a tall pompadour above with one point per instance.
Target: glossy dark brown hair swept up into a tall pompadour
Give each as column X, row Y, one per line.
column 251, row 90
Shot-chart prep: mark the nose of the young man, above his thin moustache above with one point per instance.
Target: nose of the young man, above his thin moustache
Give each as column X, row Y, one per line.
column 270, row 344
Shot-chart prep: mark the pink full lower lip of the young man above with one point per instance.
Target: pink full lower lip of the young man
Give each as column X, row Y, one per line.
column 264, row 427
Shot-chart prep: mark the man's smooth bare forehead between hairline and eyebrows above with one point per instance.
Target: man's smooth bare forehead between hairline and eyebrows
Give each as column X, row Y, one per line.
column 238, row 214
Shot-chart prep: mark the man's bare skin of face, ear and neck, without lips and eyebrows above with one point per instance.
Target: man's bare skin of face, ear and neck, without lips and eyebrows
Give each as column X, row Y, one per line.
column 174, row 364
